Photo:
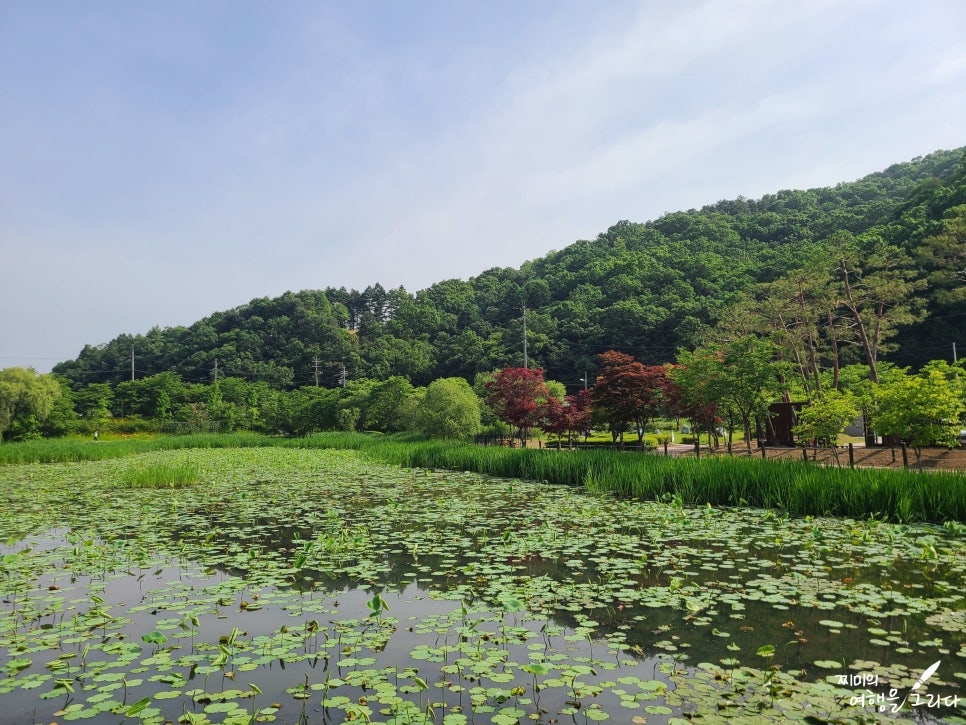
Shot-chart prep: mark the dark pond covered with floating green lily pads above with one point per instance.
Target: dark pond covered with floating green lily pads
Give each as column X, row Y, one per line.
column 307, row 586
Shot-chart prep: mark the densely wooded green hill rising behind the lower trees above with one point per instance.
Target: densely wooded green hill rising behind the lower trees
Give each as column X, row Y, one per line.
column 646, row 289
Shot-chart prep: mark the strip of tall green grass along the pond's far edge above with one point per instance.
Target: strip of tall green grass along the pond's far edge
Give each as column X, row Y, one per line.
column 791, row 486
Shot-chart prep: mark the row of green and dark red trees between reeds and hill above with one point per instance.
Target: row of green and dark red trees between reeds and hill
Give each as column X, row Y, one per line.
column 718, row 389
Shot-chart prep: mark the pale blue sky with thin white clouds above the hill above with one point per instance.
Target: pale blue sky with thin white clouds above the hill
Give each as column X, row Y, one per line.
column 163, row 161
